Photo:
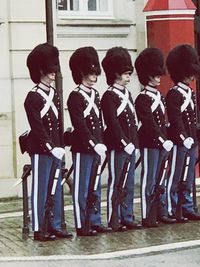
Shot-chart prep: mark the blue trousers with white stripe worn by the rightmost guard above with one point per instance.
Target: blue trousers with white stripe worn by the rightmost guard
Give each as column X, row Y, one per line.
column 177, row 169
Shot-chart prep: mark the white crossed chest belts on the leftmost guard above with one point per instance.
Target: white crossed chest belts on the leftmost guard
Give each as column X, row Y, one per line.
column 49, row 102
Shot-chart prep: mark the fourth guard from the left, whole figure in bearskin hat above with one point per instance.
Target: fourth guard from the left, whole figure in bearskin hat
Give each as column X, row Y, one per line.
column 153, row 141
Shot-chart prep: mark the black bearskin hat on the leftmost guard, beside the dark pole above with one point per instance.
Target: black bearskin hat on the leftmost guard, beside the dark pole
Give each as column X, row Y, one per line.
column 43, row 58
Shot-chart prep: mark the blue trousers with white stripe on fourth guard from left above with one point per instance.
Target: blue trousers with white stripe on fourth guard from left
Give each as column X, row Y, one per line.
column 152, row 160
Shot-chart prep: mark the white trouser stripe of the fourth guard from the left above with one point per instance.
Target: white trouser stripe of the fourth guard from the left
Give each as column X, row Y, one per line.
column 144, row 183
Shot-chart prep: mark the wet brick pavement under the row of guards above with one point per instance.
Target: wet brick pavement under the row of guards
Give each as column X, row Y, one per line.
column 12, row 244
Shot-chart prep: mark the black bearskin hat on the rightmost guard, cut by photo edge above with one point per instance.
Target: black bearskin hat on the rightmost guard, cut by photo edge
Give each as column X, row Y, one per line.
column 182, row 62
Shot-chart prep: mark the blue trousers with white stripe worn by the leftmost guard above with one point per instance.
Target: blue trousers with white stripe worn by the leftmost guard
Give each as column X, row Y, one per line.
column 41, row 169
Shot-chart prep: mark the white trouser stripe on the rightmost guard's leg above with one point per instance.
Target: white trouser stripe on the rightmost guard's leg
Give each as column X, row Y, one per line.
column 173, row 164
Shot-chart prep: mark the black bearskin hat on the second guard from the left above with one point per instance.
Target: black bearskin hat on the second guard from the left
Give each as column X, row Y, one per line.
column 84, row 61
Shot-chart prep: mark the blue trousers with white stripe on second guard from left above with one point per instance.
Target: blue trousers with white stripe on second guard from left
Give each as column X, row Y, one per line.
column 82, row 172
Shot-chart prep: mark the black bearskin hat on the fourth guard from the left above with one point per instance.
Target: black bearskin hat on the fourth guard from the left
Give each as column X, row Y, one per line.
column 149, row 63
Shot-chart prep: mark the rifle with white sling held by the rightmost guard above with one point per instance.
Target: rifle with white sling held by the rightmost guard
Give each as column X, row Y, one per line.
column 181, row 189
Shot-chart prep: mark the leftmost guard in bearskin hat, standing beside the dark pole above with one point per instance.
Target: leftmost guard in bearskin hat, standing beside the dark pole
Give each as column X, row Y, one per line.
column 44, row 145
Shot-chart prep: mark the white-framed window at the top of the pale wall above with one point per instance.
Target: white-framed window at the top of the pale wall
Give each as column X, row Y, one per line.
column 84, row 8
